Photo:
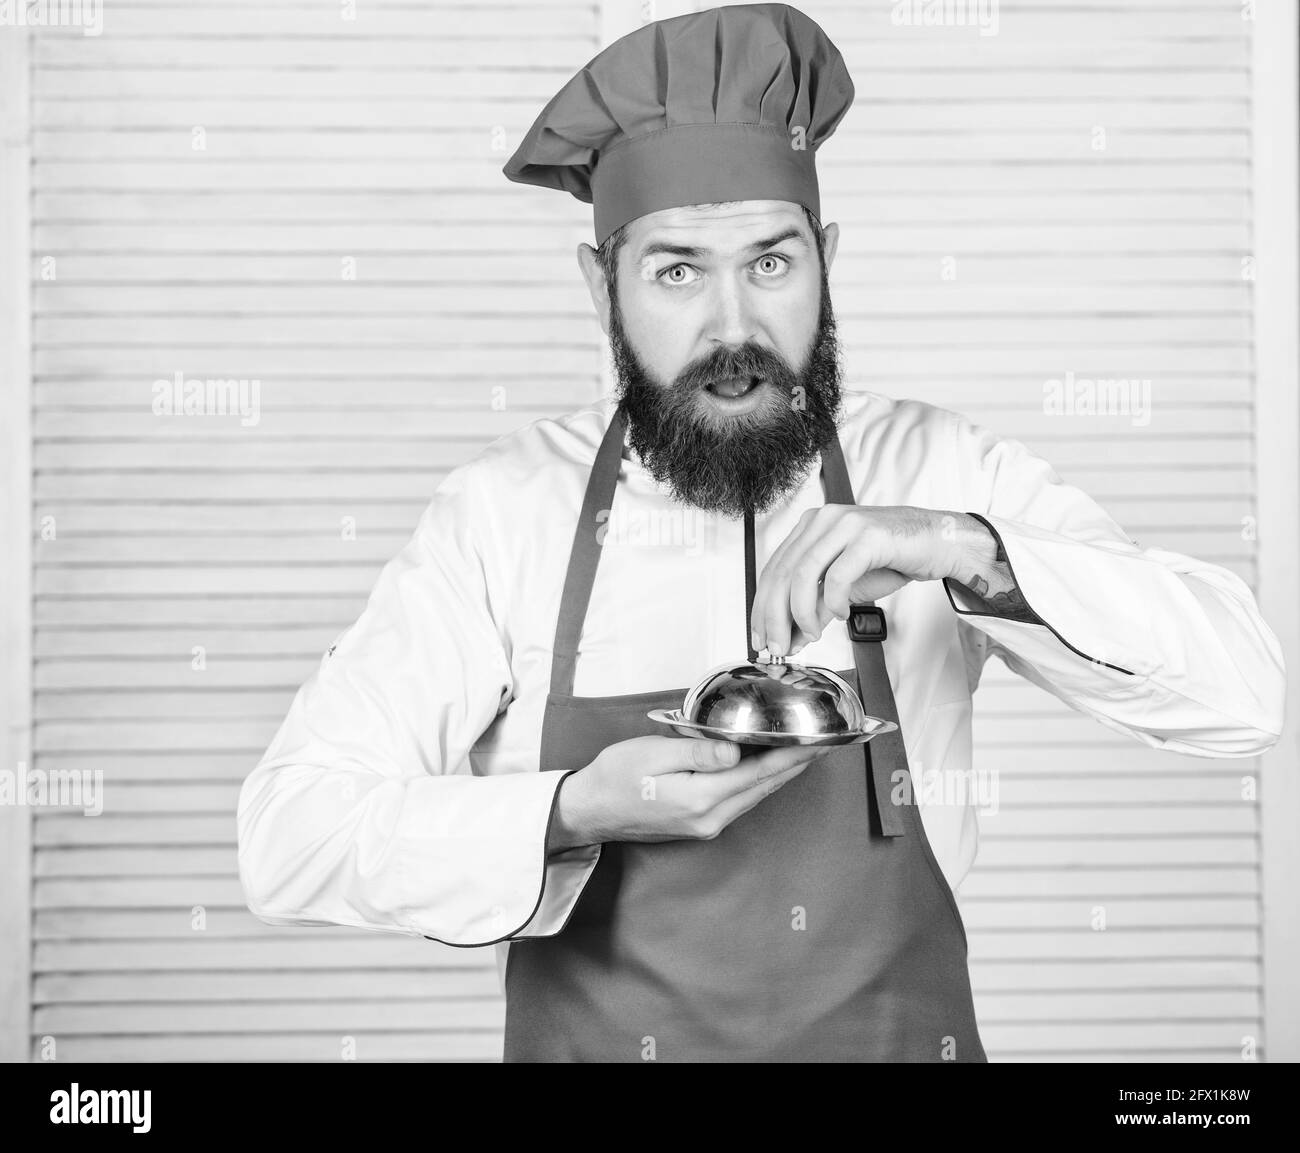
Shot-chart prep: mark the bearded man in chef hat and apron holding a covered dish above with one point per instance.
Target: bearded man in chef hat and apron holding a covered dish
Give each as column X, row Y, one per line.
column 475, row 761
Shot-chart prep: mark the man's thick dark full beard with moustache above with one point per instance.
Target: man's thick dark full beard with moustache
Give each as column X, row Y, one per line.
column 733, row 463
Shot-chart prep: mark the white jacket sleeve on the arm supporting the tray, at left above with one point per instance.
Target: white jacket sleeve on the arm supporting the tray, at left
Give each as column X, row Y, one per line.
column 363, row 810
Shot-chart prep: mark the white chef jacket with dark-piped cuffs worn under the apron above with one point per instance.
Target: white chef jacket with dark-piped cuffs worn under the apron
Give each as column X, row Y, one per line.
column 402, row 792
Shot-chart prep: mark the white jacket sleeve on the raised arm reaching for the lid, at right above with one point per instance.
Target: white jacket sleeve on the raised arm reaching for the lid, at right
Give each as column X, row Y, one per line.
column 1154, row 644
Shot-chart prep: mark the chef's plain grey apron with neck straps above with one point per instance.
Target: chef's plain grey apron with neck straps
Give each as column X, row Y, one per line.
column 816, row 927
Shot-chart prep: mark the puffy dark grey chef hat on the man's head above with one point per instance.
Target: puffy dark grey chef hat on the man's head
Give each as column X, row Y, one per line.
column 718, row 106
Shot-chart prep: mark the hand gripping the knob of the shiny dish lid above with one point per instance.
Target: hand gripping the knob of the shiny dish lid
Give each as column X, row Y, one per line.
column 847, row 554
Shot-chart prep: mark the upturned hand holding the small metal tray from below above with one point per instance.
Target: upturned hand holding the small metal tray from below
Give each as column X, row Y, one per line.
column 669, row 790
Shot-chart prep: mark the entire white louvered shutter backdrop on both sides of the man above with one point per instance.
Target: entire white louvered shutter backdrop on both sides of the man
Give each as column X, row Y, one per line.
column 375, row 140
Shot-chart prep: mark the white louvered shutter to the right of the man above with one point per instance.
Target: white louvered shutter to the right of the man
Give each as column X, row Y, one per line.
column 1124, row 263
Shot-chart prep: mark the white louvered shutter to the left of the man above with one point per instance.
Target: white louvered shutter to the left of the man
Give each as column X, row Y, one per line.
column 380, row 141
